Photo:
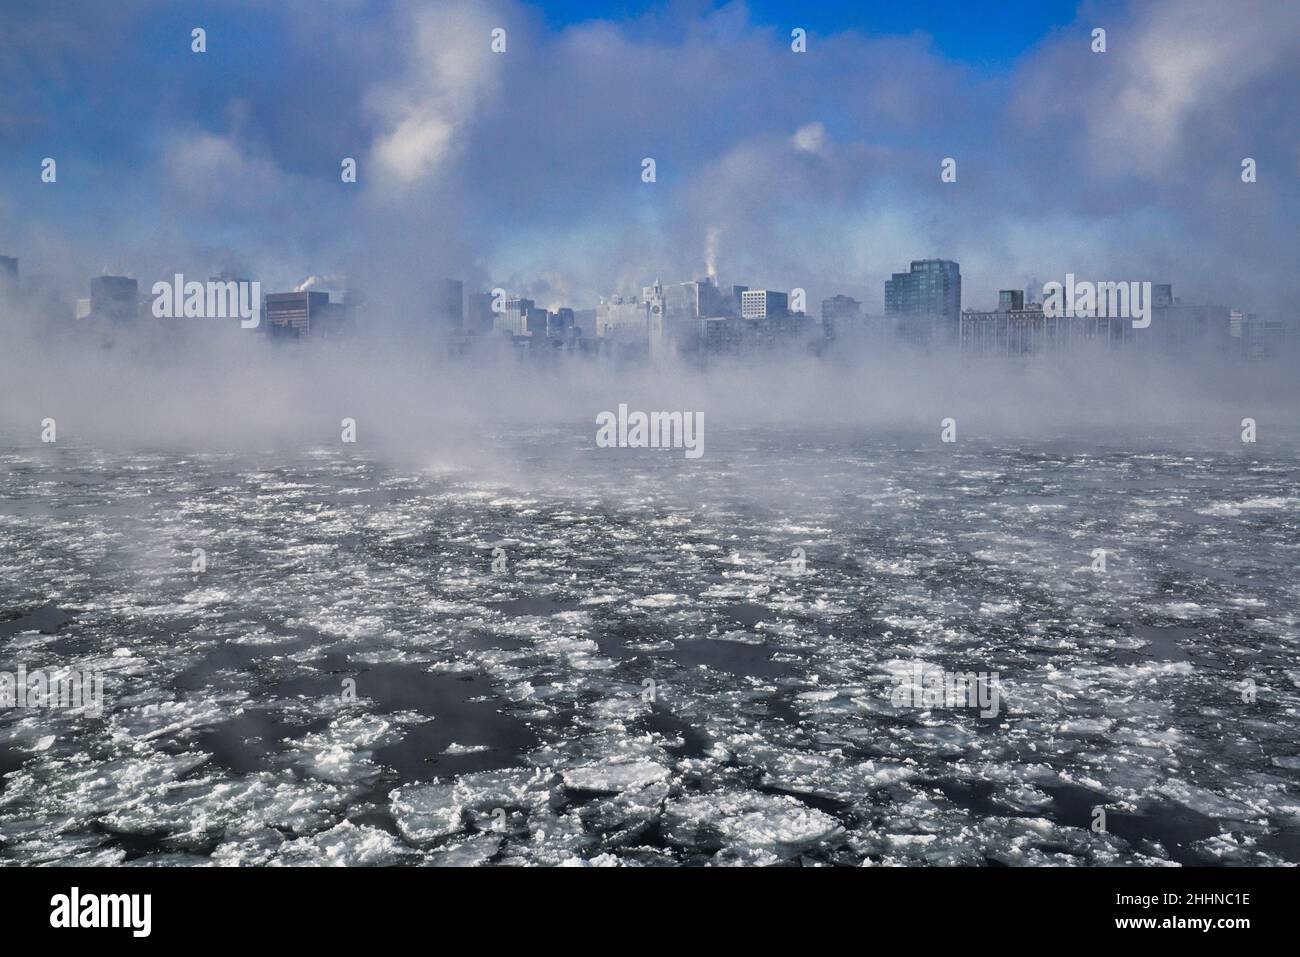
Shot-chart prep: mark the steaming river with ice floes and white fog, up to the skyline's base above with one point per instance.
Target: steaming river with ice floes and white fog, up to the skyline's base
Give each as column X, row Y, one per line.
column 569, row 653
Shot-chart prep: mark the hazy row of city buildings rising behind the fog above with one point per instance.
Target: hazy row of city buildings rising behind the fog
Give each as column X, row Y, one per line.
column 922, row 308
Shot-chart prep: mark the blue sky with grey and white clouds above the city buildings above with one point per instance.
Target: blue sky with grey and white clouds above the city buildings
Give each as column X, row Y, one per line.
column 781, row 170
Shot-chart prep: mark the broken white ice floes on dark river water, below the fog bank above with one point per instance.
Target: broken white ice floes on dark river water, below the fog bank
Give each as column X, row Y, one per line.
column 785, row 735
